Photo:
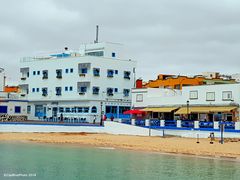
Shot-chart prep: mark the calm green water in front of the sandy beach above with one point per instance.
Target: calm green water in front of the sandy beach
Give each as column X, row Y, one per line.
column 71, row 162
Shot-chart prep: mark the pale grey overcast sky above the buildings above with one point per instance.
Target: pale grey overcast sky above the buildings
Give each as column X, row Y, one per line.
column 163, row 36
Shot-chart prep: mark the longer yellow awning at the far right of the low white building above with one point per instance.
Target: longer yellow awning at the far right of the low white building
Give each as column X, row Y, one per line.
column 202, row 109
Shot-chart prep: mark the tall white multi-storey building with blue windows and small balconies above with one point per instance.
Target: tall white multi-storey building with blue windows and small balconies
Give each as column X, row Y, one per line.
column 93, row 81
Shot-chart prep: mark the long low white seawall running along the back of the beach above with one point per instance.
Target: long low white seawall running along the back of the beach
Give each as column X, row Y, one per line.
column 110, row 128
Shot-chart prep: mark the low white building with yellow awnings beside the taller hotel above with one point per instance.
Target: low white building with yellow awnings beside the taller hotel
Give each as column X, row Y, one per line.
column 201, row 102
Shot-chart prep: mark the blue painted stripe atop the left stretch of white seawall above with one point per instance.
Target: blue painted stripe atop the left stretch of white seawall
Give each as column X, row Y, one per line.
column 34, row 124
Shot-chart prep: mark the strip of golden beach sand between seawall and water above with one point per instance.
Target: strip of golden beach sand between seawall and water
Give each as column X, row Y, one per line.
column 187, row 146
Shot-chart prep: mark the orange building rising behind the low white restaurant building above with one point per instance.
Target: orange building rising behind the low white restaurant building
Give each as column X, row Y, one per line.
column 177, row 82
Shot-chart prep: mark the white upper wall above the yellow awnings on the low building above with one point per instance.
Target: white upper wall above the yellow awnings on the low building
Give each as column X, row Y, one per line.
column 159, row 97
